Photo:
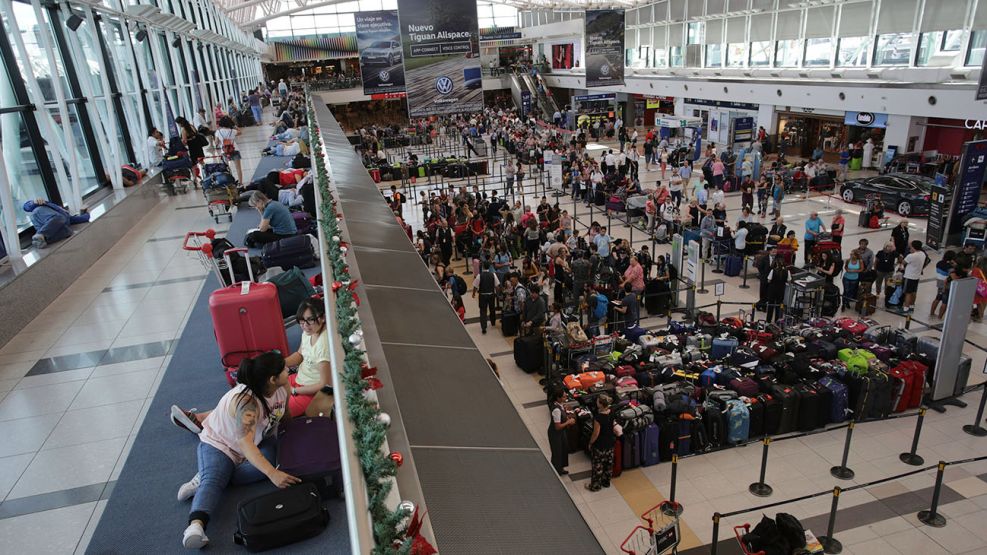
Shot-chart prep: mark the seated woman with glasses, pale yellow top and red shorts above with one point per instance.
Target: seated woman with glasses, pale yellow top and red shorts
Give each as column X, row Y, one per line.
column 312, row 358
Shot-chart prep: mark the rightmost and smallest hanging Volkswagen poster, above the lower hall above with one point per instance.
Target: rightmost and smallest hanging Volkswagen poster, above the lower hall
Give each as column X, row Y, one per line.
column 604, row 48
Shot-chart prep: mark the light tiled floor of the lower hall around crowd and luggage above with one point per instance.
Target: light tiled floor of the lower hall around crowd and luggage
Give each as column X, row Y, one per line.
column 872, row 520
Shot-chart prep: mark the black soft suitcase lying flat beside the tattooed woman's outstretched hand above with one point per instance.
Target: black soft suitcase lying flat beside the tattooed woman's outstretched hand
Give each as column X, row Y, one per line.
column 282, row 517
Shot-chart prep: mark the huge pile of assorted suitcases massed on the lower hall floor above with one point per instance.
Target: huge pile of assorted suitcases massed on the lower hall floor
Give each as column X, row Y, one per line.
column 694, row 387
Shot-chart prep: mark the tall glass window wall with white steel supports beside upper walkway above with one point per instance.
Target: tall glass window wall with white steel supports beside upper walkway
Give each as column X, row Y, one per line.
column 87, row 94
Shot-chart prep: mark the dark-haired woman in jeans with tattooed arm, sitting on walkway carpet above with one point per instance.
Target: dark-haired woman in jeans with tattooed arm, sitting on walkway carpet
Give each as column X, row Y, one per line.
column 238, row 443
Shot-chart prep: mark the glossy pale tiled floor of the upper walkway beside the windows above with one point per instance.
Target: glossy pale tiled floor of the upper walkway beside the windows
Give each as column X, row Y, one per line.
column 76, row 382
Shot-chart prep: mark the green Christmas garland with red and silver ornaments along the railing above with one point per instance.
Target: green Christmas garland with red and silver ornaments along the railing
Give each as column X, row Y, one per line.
column 393, row 534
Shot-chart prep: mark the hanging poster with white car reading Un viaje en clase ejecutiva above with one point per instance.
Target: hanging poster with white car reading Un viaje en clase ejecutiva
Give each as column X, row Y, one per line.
column 378, row 39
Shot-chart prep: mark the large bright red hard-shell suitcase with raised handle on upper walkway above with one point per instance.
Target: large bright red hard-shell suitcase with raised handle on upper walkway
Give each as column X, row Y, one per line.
column 246, row 319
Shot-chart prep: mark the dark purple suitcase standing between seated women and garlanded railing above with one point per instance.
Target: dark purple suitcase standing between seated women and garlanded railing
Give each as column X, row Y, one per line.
column 308, row 447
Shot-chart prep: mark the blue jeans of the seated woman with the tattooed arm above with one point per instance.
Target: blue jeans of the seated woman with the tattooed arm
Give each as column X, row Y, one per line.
column 217, row 470
